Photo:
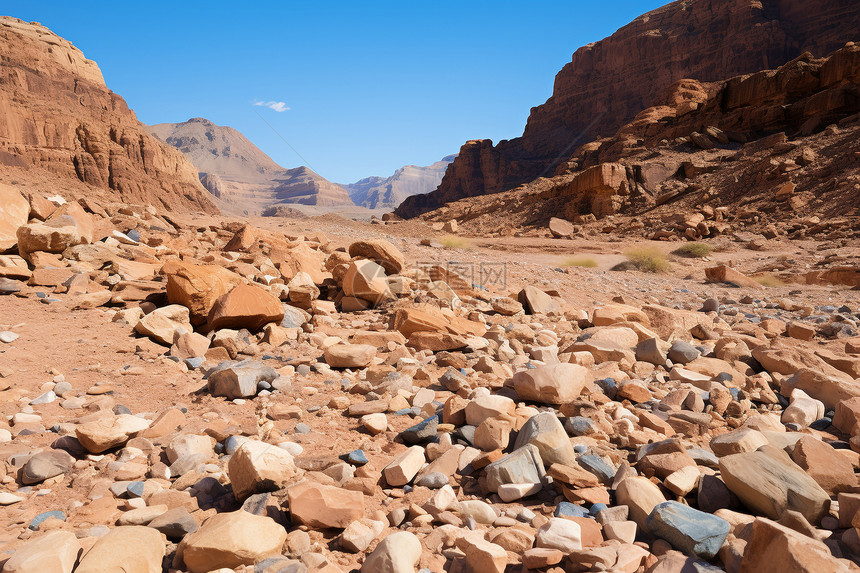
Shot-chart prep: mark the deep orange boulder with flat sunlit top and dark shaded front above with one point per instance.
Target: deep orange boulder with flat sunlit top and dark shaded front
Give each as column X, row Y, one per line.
column 245, row 306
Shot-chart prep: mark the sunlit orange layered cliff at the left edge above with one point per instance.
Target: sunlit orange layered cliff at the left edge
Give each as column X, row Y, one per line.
column 60, row 125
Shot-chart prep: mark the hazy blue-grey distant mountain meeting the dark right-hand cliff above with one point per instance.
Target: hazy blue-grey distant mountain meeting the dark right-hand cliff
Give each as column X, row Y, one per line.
column 389, row 192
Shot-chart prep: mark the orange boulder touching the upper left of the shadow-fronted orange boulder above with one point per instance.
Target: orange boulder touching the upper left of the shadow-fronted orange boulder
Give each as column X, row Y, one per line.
column 197, row 287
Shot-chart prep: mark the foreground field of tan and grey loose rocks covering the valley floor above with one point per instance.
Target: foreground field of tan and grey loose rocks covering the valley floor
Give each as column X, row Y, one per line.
column 204, row 394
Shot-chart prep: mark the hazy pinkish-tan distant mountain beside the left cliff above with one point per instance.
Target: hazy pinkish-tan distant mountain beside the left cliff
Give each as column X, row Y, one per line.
column 241, row 175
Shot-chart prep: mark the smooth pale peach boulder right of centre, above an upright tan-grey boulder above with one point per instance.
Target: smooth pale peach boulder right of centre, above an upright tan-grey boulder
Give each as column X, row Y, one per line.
column 552, row 383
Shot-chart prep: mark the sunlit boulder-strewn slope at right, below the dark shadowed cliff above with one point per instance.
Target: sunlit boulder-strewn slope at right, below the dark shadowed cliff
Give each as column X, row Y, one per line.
column 773, row 152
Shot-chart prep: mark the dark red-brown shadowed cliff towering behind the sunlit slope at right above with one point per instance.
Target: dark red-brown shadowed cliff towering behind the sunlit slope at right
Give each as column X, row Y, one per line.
column 607, row 83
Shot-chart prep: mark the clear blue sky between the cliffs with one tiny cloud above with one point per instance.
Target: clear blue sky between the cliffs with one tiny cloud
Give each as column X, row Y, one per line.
column 370, row 86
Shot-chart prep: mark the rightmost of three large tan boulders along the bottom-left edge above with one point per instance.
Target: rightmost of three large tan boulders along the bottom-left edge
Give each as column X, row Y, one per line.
column 230, row 540
